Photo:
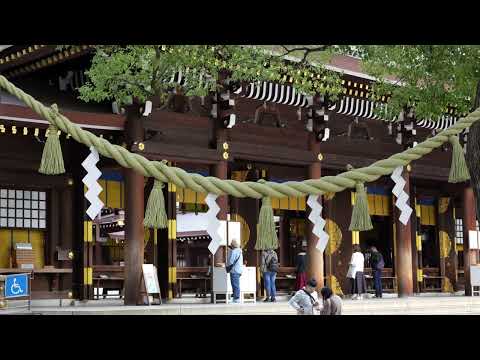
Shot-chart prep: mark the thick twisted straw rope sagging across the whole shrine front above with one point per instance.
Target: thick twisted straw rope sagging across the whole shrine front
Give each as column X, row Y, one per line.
column 199, row 183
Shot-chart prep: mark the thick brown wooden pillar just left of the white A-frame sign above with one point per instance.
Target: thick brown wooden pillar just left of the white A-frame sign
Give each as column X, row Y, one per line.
column 134, row 213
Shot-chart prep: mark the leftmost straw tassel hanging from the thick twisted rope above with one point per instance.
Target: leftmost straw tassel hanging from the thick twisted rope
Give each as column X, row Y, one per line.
column 52, row 157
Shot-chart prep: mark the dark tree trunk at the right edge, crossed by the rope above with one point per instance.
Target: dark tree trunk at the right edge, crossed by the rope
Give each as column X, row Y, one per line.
column 473, row 154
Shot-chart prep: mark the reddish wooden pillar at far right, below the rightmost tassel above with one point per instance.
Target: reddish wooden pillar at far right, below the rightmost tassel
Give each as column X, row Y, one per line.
column 469, row 218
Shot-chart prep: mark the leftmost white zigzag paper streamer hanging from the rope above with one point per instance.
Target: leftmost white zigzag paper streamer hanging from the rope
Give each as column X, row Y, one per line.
column 91, row 182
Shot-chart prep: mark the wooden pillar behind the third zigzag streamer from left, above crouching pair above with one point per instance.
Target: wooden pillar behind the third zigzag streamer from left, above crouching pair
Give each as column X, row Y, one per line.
column 314, row 257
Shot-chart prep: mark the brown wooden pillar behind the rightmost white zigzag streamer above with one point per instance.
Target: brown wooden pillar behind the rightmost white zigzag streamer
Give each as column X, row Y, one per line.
column 403, row 248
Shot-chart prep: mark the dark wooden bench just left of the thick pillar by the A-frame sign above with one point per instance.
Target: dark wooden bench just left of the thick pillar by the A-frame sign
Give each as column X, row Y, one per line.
column 108, row 277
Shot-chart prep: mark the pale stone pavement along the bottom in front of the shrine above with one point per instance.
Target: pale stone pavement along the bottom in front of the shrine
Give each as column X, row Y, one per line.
column 416, row 305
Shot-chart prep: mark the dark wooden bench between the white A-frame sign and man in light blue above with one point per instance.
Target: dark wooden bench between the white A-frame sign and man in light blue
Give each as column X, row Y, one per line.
column 196, row 277
